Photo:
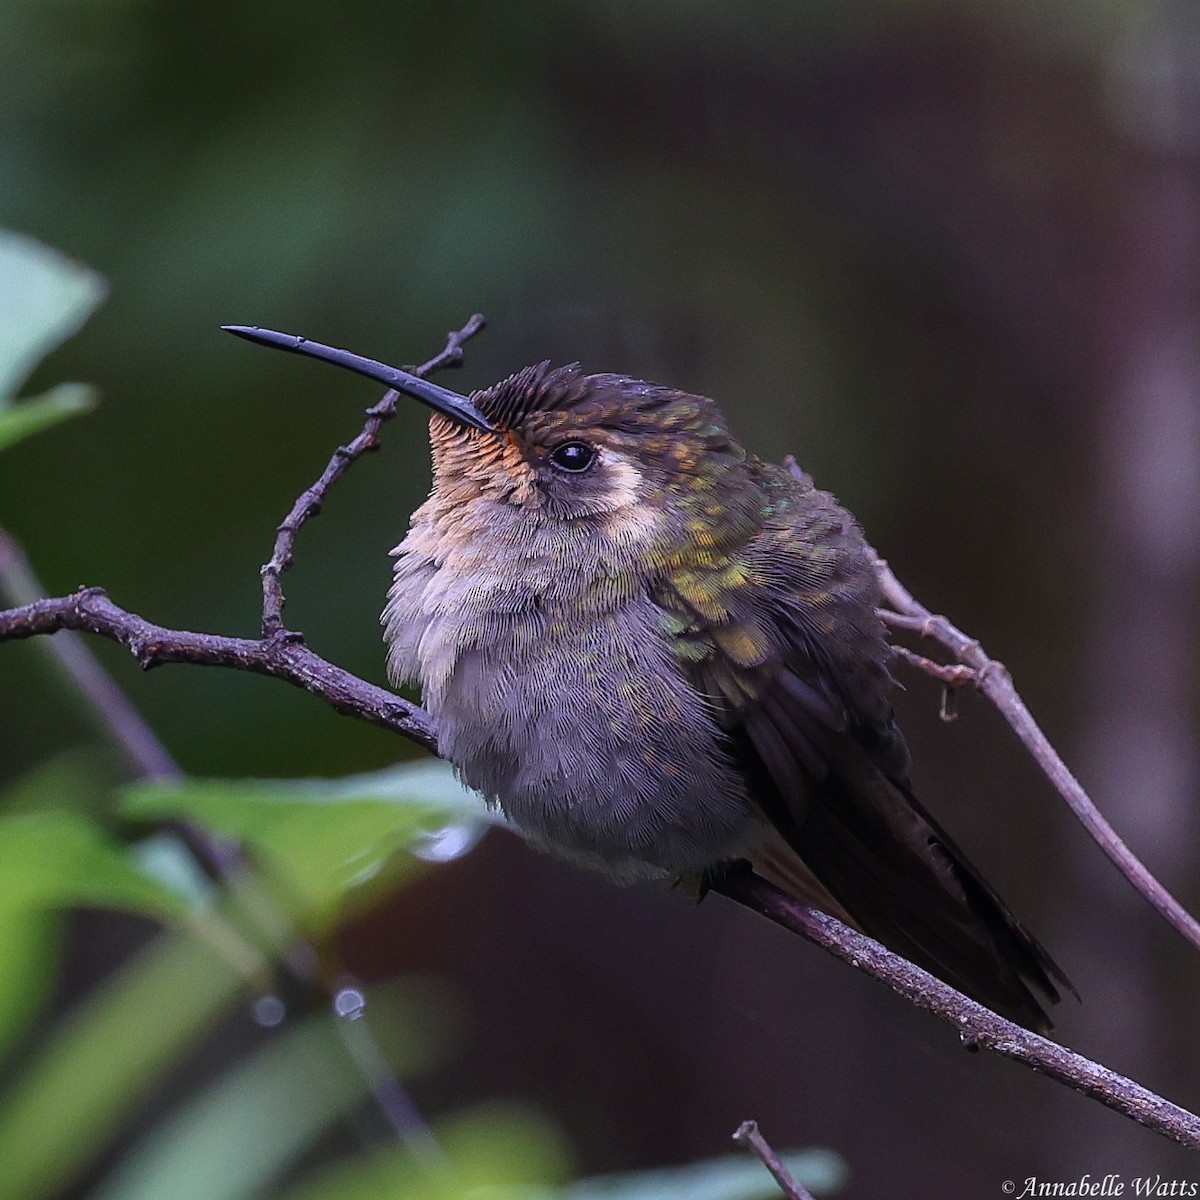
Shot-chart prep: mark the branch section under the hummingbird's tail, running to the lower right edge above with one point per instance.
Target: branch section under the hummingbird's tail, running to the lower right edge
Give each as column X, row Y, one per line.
column 979, row 1027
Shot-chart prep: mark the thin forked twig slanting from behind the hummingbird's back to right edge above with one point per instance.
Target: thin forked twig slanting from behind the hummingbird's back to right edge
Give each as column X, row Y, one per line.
column 994, row 681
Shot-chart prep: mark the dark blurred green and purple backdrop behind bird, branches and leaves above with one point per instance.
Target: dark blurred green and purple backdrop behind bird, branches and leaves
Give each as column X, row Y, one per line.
column 944, row 253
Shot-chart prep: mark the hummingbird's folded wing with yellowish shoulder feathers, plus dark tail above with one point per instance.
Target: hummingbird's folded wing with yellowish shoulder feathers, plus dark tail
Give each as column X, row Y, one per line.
column 785, row 643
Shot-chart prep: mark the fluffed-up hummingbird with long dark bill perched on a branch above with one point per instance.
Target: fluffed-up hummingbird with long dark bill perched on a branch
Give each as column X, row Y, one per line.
column 659, row 656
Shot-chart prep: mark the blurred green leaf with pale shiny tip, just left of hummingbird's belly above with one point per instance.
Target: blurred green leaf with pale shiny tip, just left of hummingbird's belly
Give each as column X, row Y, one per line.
column 321, row 839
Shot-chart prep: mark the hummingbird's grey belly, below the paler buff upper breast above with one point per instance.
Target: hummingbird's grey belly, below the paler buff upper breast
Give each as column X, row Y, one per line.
column 593, row 745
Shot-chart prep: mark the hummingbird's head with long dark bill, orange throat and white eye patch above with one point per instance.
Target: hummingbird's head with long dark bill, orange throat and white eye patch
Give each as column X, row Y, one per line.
column 640, row 463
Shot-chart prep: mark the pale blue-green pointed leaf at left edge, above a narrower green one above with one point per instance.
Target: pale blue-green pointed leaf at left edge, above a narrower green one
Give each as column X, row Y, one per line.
column 45, row 297
